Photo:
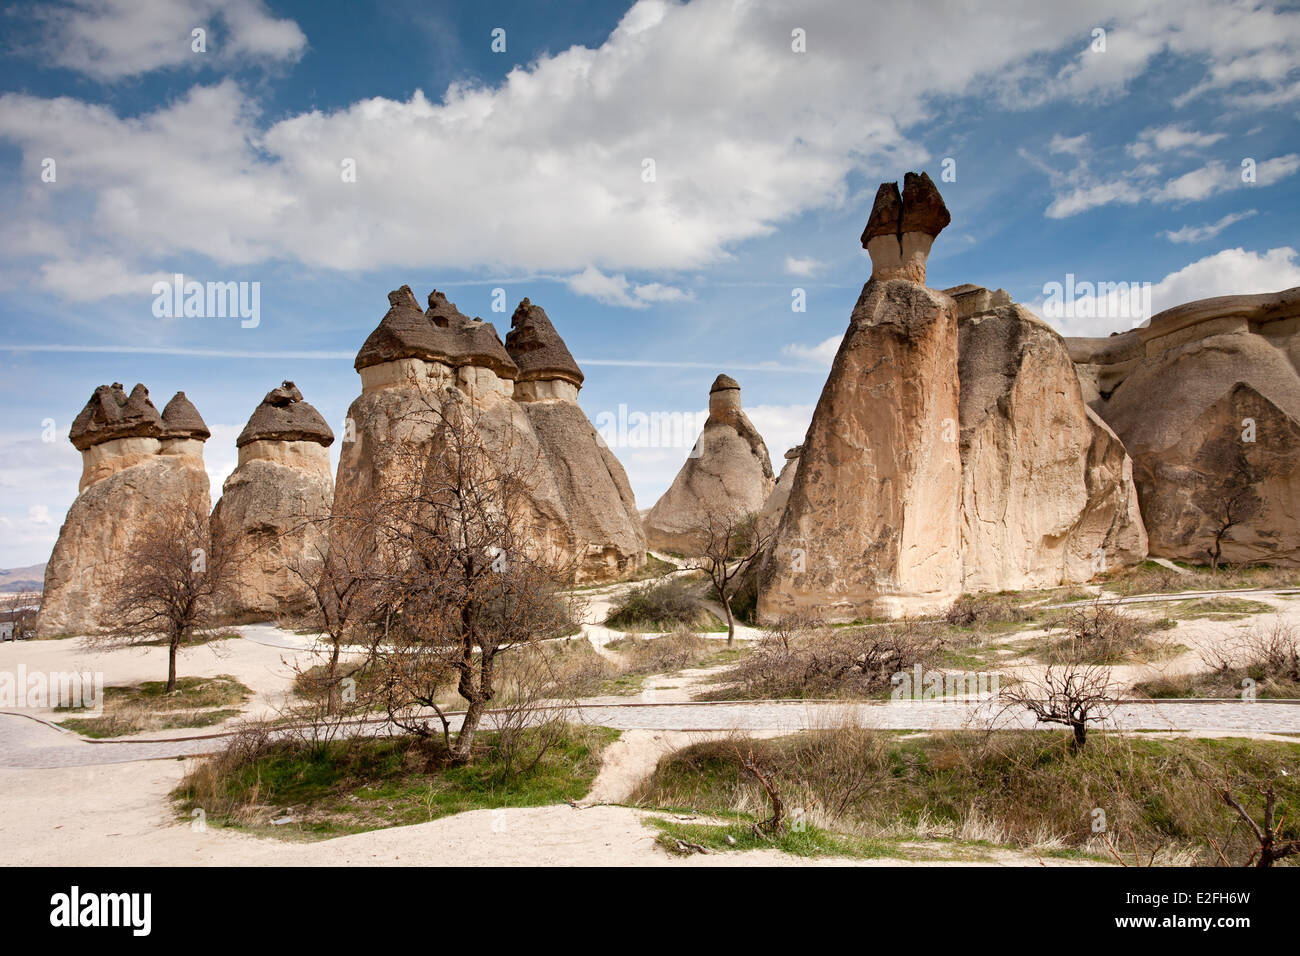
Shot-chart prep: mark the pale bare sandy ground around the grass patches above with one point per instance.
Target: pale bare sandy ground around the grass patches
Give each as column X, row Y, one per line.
column 122, row 815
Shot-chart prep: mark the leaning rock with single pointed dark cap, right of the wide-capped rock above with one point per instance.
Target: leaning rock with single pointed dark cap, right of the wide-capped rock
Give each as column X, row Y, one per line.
column 600, row 509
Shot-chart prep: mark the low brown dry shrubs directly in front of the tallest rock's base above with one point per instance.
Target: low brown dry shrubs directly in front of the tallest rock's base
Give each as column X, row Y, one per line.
column 804, row 659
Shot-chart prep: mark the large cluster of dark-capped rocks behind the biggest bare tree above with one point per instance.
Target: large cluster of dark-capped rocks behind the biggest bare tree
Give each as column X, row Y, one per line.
column 408, row 366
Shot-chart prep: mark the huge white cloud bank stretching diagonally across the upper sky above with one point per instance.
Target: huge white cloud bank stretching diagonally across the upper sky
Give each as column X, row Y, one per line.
column 544, row 171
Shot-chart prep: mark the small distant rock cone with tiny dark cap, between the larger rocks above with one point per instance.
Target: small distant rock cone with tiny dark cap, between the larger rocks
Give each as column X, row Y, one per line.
column 729, row 473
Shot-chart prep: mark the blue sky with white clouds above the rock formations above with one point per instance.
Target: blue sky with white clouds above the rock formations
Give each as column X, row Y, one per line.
column 525, row 171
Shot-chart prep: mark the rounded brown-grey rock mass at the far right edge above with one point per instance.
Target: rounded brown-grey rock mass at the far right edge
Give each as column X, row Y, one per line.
column 1178, row 392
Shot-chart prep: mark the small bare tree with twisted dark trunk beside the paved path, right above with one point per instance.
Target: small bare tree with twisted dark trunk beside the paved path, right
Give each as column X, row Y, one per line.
column 1073, row 694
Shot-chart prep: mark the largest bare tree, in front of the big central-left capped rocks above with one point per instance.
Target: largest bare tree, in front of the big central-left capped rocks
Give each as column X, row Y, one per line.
column 467, row 574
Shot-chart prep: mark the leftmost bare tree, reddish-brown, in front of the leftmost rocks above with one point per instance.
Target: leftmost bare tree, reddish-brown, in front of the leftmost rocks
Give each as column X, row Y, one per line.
column 172, row 573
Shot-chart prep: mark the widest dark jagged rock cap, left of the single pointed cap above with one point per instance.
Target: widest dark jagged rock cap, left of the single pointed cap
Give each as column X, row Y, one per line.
column 441, row 335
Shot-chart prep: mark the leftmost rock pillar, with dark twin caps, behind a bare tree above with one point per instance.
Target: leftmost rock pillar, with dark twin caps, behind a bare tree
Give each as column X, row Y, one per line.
column 136, row 465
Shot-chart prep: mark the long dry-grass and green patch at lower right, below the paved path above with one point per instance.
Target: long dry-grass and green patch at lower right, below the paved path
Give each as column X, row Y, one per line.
column 1008, row 789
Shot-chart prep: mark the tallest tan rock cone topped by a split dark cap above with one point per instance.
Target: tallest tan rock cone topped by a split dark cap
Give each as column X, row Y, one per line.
column 872, row 527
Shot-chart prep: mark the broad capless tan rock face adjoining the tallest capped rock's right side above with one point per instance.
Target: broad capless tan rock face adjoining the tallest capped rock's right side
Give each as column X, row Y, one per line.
column 1048, row 495
